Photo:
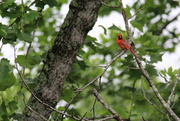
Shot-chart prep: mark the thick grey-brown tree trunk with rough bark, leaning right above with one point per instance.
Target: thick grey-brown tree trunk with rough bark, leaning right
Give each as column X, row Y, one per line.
column 78, row 22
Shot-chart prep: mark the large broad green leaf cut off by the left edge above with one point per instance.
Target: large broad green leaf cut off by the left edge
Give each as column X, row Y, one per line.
column 7, row 78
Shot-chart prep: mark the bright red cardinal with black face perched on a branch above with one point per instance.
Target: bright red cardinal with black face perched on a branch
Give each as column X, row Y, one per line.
column 124, row 44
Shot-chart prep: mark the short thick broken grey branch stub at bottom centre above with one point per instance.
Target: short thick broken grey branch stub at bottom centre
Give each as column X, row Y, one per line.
column 99, row 98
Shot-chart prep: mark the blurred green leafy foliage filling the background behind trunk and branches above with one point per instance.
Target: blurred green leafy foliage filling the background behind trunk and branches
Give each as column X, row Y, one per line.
column 37, row 23
